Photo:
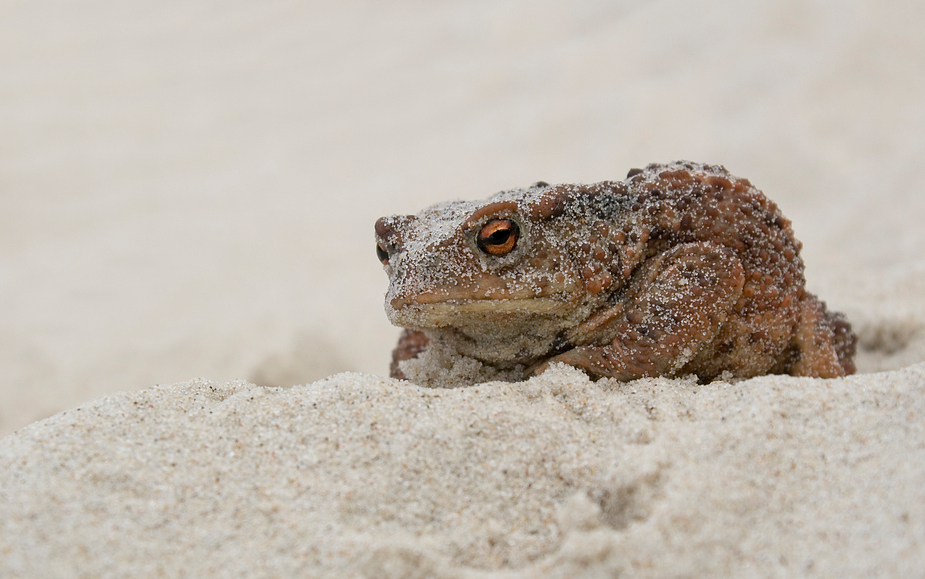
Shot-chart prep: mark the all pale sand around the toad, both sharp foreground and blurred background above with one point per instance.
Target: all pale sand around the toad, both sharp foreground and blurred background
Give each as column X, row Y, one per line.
column 187, row 189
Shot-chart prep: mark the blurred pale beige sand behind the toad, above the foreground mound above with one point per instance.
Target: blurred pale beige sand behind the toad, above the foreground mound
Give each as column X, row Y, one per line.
column 188, row 188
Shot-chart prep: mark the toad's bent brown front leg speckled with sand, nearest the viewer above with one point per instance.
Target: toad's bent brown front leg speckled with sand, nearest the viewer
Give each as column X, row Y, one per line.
column 674, row 306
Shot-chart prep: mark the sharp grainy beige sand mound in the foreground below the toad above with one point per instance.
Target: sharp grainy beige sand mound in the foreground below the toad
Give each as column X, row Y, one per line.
column 361, row 476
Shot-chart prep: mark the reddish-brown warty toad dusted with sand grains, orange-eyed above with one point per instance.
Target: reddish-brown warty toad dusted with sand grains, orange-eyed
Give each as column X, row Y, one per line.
column 679, row 269
